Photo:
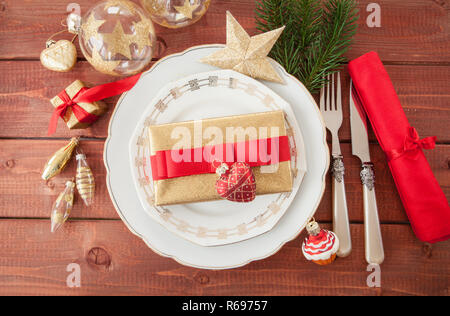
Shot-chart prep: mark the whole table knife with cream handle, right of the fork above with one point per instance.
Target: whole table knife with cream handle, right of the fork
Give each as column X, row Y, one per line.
column 360, row 148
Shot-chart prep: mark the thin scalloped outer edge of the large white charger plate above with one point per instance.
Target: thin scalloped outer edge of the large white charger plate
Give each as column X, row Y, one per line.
column 174, row 257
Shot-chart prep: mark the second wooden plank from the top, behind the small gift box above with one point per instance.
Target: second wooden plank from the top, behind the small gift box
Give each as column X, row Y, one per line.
column 25, row 108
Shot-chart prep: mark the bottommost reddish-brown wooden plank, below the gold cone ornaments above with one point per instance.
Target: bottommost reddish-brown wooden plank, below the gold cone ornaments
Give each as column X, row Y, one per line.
column 114, row 262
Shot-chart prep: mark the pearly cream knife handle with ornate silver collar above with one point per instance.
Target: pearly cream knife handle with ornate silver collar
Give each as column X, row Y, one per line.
column 373, row 239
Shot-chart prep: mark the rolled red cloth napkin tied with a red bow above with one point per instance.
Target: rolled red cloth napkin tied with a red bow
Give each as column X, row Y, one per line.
column 422, row 197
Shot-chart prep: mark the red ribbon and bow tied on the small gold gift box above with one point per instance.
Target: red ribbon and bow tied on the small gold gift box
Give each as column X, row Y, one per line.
column 90, row 95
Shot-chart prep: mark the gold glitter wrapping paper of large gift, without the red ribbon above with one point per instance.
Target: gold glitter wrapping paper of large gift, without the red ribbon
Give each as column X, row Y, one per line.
column 196, row 188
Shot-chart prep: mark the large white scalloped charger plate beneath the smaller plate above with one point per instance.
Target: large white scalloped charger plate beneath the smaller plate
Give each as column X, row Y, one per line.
column 130, row 109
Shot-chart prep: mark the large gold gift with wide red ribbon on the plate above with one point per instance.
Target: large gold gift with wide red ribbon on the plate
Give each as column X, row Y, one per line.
column 186, row 156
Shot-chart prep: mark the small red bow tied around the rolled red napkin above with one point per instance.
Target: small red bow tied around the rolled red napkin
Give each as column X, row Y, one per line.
column 412, row 145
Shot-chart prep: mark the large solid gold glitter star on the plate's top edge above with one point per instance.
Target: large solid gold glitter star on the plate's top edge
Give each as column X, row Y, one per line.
column 245, row 54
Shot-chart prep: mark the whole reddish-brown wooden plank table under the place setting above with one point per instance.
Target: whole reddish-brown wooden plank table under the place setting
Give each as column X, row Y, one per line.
column 414, row 43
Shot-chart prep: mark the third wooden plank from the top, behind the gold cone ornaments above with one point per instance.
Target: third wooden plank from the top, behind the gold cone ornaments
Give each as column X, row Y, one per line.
column 25, row 195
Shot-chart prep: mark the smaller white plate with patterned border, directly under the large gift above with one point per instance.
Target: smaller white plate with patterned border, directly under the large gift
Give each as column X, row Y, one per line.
column 213, row 94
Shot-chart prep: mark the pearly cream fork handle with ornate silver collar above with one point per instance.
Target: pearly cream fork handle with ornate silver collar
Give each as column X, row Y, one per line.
column 341, row 224
